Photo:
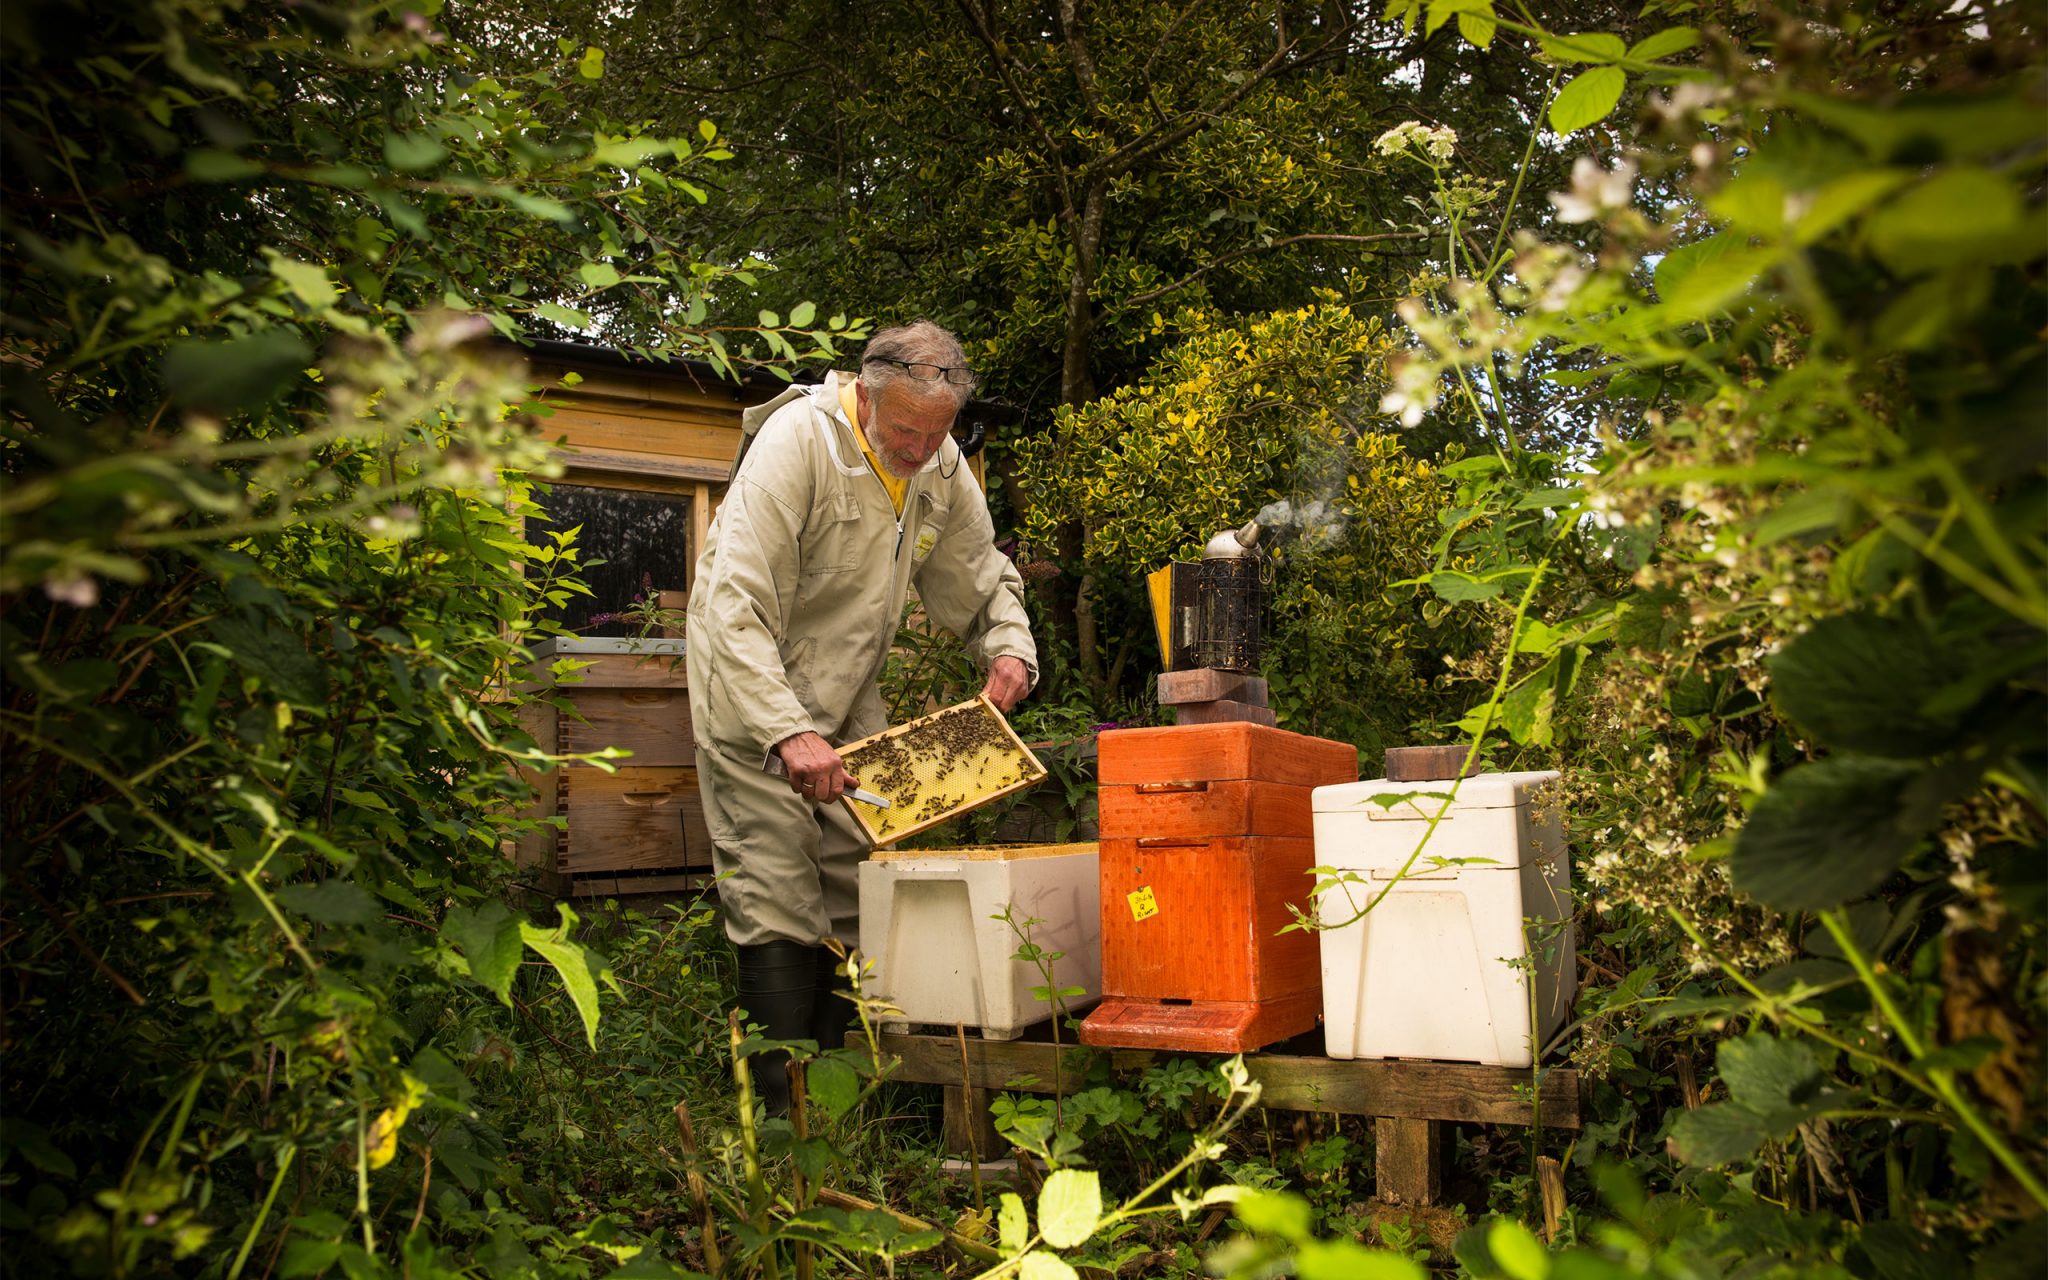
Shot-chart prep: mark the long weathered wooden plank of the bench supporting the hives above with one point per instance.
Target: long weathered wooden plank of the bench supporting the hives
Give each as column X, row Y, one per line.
column 1291, row 1082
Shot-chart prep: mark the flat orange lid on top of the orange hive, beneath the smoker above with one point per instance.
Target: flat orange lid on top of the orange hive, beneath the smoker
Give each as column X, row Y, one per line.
column 1218, row 753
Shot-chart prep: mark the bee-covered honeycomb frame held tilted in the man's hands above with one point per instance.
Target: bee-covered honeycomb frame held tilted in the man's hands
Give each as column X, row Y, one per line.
column 939, row 767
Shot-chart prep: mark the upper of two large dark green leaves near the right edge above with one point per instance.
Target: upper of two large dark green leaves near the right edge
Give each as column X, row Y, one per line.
column 1865, row 683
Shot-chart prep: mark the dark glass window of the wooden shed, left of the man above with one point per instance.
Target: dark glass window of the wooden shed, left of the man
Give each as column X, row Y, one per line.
column 642, row 536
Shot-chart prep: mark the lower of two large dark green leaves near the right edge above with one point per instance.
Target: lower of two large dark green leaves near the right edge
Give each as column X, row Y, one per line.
column 1834, row 830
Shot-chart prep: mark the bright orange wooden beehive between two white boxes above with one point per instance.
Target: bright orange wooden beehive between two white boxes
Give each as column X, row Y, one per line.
column 1205, row 843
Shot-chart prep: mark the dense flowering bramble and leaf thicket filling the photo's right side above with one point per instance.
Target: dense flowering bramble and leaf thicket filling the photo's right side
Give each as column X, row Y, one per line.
column 1766, row 572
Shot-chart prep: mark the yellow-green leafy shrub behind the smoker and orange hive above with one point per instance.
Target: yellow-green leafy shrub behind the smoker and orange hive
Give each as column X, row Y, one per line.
column 1269, row 419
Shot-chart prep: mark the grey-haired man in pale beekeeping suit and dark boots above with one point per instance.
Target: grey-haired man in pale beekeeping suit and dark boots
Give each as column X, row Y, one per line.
column 843, row 499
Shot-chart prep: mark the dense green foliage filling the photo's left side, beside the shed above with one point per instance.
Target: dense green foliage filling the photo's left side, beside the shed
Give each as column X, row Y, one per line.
column 267, row 593
